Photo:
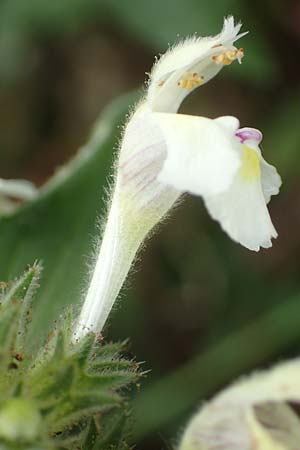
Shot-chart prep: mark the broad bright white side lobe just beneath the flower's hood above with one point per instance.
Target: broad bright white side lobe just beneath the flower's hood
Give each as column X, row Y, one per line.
column 202, row 154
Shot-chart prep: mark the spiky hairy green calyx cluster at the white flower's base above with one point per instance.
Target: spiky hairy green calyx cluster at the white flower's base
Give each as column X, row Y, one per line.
column 71, row 395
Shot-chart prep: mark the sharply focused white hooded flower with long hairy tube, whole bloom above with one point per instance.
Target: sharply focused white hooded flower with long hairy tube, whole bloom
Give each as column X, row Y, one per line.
column 164, row 154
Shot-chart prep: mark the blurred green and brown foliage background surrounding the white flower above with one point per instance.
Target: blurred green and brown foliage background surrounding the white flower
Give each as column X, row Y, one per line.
column 200, row 310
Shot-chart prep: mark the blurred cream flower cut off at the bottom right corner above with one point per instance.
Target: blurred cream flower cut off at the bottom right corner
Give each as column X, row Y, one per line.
column 253, row 414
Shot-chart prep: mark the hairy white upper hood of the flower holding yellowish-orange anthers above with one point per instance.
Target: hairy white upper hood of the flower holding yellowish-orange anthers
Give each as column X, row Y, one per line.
column 170, row 79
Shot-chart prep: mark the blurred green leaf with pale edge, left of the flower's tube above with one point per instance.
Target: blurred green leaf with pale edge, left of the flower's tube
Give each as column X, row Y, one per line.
column 57, row 227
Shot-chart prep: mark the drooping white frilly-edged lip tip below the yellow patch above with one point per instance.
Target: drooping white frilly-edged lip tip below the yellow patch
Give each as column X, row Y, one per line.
column 243, row 214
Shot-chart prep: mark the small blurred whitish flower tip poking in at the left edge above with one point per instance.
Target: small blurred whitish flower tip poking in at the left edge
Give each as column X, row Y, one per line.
column 14, row 189
